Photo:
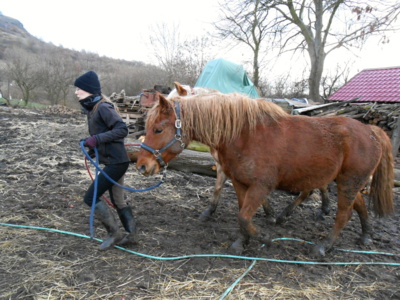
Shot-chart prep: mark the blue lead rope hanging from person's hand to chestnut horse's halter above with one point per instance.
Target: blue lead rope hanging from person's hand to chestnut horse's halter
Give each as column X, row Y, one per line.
column 99, row 170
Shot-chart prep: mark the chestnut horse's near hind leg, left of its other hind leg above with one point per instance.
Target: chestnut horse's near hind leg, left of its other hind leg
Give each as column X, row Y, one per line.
column 346, row 198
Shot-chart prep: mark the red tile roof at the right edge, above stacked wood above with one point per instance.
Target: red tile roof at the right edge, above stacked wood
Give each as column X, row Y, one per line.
column 372, row 85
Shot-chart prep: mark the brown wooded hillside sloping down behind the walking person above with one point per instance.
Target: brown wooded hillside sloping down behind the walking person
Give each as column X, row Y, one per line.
column 49, row 70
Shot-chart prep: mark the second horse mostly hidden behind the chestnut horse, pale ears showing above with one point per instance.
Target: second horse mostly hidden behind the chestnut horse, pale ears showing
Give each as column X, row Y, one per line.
column 186, row 90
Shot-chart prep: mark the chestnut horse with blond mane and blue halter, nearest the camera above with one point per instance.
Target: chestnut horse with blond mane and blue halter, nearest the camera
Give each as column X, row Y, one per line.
column 262, row 148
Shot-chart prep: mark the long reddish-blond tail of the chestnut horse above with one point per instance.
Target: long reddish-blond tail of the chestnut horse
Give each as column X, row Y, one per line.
column 381, row 192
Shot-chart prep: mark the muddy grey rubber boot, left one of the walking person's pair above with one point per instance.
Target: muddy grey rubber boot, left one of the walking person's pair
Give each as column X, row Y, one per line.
column 104, row 214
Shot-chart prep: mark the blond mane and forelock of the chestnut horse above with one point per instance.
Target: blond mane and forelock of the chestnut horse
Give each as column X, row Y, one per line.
column 220, row 117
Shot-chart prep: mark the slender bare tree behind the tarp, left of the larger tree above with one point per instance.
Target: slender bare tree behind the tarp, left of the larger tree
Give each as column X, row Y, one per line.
column 247, row 23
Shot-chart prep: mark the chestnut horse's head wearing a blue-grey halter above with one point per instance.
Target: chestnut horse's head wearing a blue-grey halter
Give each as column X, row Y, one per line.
column 164, row 139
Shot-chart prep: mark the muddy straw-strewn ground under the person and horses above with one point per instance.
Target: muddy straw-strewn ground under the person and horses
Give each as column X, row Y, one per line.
column 45, row 251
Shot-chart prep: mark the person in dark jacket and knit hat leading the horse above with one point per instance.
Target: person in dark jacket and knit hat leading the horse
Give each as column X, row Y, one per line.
column 107, row 132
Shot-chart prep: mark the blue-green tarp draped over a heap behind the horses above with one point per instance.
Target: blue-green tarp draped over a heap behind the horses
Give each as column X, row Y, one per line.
column 226, row 77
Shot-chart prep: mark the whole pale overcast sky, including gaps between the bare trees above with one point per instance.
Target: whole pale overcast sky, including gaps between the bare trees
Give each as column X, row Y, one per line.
column 121, row 28
